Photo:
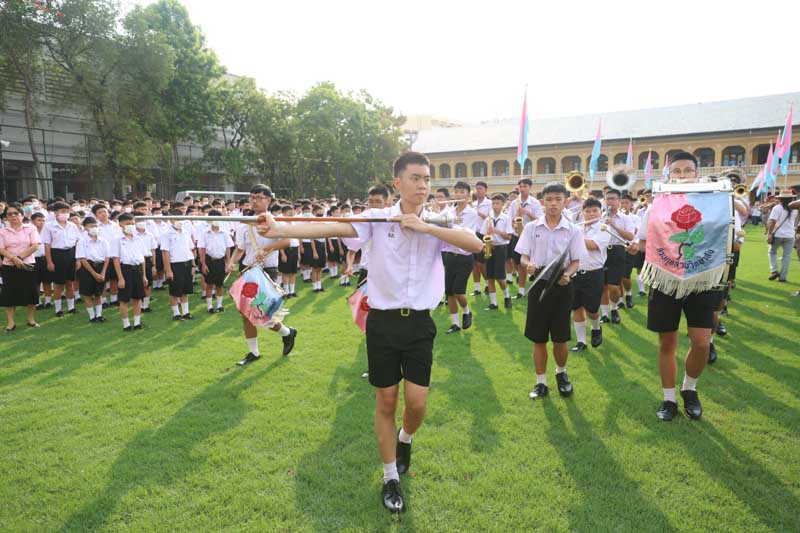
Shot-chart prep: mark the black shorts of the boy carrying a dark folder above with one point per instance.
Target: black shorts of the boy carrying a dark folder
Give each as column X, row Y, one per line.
column 549, row 319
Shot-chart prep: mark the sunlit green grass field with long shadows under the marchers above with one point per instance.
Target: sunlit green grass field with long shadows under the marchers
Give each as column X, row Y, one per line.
column 159, row 430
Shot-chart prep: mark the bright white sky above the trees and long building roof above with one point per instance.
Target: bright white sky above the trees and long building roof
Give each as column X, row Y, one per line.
column 471, row 61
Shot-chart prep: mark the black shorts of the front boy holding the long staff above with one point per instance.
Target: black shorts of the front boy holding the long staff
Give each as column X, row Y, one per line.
column 399, row 347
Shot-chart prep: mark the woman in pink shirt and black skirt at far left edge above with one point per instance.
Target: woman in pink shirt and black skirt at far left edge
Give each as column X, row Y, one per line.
column 17, row 246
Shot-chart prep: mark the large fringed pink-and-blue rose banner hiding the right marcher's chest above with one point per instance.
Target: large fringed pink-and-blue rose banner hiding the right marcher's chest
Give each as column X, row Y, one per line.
column 688, row 242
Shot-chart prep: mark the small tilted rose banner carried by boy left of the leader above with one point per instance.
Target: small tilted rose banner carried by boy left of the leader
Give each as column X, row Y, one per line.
column 258, row 298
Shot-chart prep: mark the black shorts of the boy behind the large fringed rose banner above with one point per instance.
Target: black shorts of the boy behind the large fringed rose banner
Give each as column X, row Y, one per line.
column 664, row 311
